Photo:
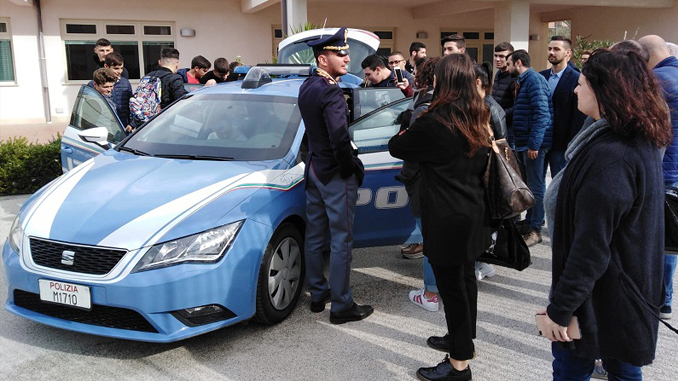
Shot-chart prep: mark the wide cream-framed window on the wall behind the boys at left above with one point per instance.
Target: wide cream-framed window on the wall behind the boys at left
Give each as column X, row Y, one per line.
column 139, row 43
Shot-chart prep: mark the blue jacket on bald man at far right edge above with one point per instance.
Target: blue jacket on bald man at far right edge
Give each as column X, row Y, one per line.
column 667, row 75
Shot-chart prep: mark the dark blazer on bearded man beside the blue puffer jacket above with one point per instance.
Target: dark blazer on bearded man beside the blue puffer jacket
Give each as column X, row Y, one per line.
column 567, row 119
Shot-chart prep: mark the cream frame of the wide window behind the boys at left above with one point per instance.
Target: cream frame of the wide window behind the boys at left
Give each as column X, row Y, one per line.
column 139, row 37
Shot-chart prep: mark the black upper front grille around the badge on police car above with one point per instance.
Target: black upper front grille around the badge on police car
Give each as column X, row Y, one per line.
column 87, row 259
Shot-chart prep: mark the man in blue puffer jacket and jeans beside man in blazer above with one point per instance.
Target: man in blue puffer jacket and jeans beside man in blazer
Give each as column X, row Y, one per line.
column 533, row 134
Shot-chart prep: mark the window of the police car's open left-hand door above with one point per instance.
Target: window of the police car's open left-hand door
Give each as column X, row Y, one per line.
column 92, row 110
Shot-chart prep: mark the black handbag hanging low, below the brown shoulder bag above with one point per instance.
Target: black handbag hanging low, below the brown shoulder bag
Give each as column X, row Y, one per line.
column 508, row 248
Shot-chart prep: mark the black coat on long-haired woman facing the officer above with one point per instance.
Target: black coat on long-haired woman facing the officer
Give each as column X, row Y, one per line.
column 454, row 218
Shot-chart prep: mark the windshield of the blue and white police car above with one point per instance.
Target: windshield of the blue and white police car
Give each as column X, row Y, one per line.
column 227, row 126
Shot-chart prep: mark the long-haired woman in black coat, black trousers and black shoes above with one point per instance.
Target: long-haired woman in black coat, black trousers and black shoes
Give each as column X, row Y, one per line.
column 450, row 141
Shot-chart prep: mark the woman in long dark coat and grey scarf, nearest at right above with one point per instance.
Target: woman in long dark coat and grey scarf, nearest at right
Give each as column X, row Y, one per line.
column 605, row 212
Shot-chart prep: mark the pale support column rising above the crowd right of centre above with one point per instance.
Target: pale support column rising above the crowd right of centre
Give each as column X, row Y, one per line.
column 512, row 23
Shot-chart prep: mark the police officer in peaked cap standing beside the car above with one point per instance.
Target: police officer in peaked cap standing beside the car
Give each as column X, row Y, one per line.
column 333, row 175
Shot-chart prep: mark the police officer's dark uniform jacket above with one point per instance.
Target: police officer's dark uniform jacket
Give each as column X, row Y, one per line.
column 325, row 114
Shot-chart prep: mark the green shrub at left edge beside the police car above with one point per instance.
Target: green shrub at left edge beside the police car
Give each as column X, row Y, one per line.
column 25, row 167
